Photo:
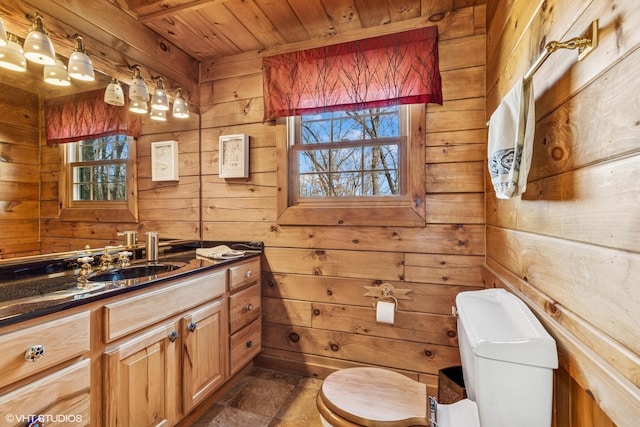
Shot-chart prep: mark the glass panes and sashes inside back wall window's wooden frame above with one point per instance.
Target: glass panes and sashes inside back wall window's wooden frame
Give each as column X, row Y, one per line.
column 348, row 154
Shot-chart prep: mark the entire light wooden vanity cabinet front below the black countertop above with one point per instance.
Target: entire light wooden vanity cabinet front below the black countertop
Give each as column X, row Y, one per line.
column 148, row 357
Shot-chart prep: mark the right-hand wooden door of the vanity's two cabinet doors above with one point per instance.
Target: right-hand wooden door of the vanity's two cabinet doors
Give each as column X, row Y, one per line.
column 205, row 354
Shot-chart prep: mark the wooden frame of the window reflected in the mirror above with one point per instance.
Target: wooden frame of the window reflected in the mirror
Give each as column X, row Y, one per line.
column 109, row 211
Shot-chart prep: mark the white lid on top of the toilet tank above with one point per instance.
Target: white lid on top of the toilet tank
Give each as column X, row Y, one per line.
column 500, row 326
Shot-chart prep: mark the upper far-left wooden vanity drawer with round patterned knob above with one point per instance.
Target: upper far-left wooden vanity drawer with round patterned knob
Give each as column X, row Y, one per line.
column 61, row 339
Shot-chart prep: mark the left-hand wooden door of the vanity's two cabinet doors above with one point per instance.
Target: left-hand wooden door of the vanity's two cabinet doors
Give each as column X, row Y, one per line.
column 141, row 379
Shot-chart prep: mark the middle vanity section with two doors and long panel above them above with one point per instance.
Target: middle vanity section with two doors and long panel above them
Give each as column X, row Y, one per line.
column 162, row 371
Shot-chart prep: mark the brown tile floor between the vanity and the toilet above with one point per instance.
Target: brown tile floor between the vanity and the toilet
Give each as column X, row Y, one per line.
column 266, row 398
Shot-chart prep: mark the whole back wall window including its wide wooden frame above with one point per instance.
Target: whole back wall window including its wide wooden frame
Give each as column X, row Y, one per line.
column 364, row 167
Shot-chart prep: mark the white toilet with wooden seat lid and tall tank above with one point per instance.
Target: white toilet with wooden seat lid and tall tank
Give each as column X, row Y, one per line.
column 507, row 363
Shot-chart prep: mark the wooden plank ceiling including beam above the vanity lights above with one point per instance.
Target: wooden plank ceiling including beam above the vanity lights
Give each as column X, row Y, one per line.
column 172, row 38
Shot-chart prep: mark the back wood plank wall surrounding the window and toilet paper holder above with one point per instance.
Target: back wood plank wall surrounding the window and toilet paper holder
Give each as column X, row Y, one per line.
column 316, row 318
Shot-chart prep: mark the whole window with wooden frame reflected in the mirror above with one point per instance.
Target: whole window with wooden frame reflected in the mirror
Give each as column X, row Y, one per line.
column 99, row 180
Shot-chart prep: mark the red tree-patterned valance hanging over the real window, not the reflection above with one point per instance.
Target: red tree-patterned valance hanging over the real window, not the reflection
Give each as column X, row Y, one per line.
column 399, row 68
